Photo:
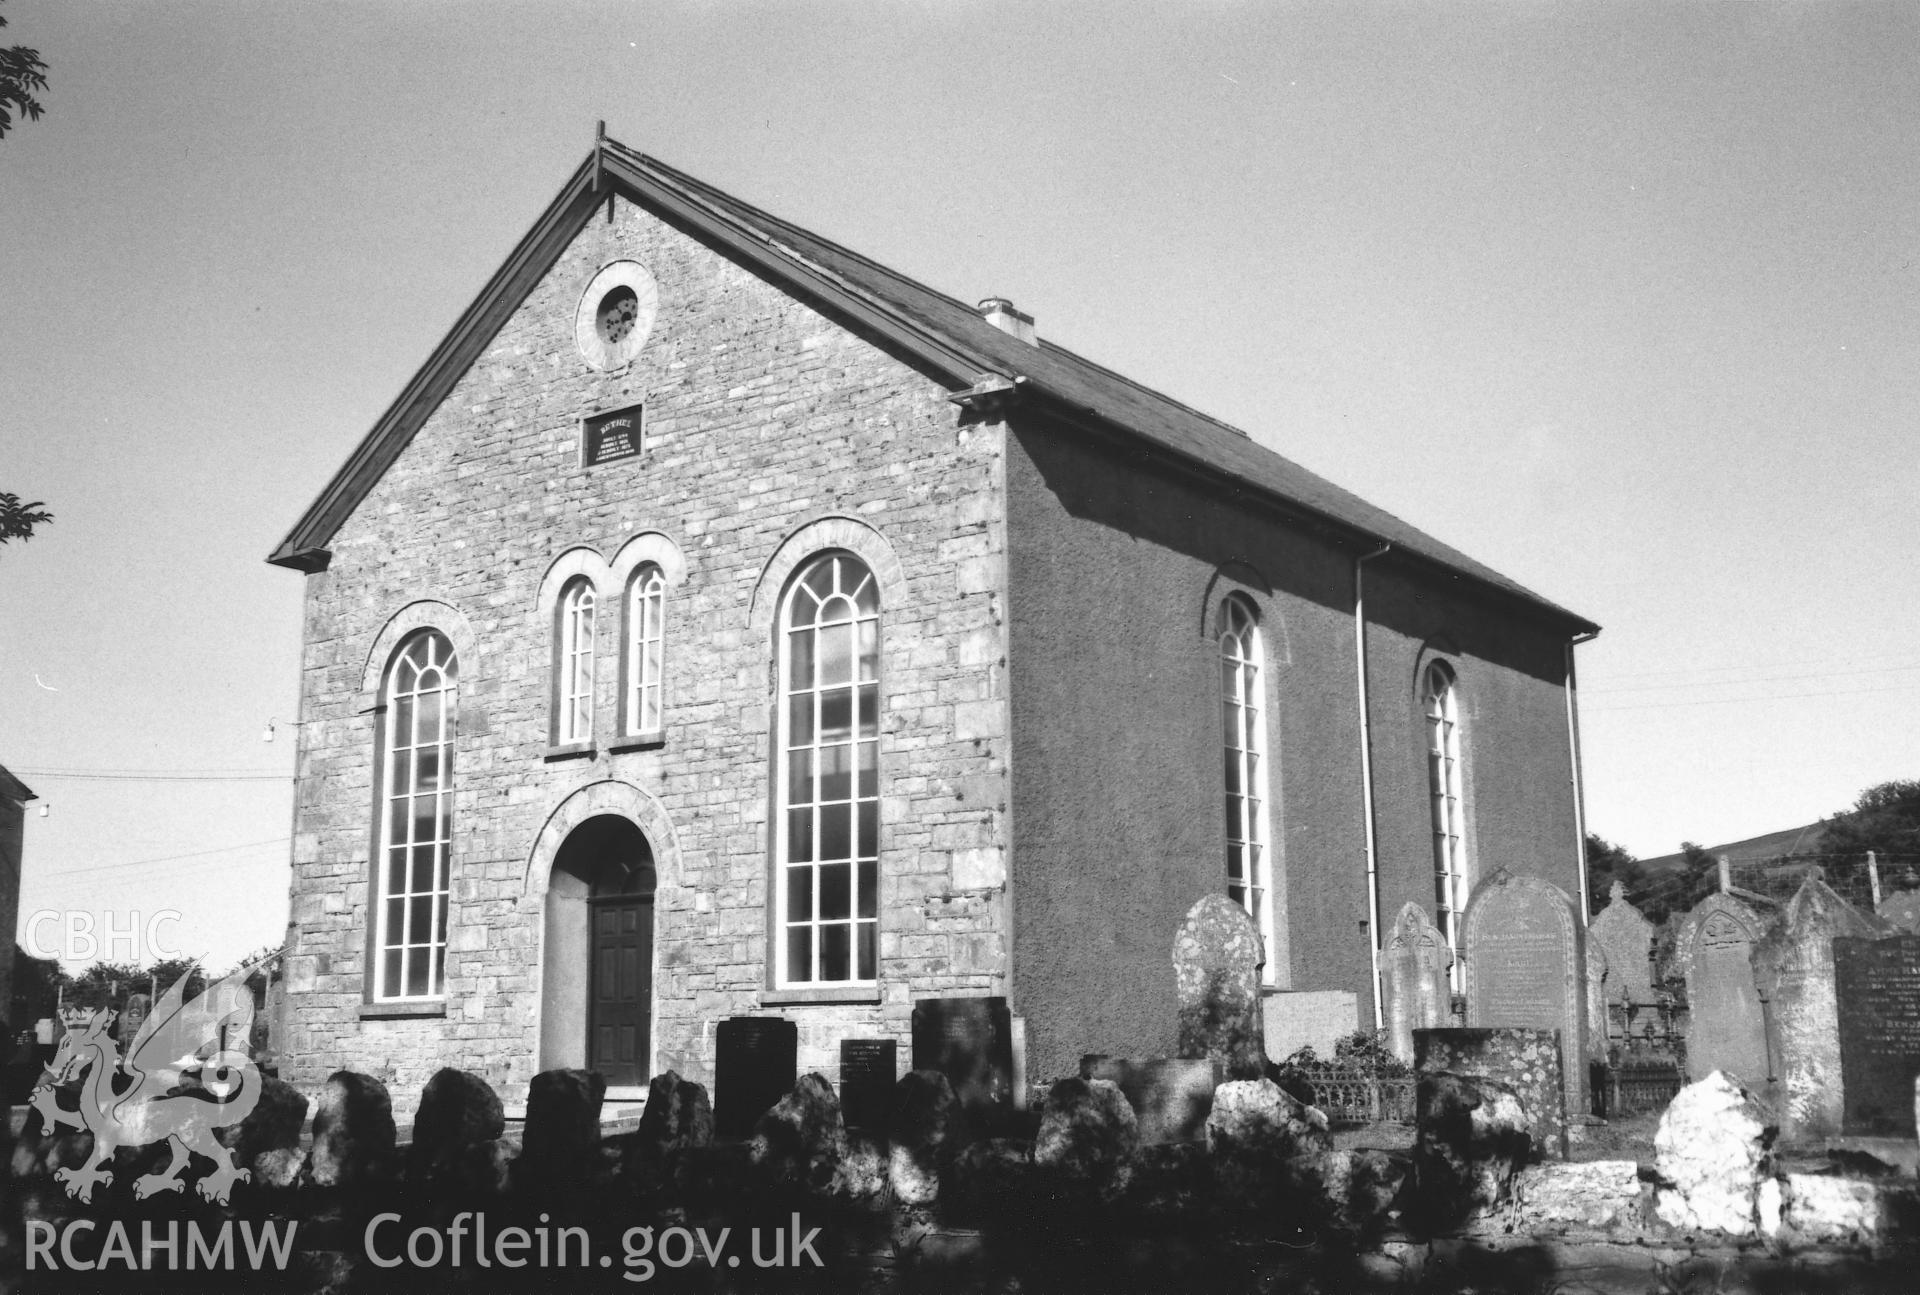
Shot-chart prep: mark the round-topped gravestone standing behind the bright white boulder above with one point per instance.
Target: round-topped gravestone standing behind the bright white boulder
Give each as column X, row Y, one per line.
column 1727, row 1025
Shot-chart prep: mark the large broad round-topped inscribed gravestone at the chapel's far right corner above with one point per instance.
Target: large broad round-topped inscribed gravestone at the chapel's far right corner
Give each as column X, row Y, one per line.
column 1524, row 967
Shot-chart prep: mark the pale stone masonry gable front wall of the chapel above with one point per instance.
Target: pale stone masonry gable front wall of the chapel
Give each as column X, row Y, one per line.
column 761, row 418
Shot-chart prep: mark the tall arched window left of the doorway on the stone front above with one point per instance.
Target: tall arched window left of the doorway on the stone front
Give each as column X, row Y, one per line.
column 416, row 819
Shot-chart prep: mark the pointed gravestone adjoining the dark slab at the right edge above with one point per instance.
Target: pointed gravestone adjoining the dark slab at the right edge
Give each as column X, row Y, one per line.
column 1794, row 971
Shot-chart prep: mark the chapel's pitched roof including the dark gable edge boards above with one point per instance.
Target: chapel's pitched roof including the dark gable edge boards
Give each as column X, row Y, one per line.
column 942, row 331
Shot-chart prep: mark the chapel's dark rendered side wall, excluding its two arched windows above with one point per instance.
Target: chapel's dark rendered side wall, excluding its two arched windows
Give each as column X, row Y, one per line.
column 1116, row 566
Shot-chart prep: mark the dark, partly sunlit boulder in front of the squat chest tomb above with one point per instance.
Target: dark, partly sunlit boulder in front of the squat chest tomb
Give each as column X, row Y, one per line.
column 1472, row 1142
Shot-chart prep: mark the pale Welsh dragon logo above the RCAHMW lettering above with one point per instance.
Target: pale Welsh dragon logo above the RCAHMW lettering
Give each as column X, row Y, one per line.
column 181, row 1037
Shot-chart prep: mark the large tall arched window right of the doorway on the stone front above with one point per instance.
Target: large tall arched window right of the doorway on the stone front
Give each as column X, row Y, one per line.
column 828, row 777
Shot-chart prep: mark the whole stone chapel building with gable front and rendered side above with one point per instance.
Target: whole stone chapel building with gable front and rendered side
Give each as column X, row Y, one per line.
column 721, row 623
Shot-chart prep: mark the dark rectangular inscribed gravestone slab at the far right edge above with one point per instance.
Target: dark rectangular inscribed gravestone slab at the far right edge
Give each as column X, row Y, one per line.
column 1879, row 996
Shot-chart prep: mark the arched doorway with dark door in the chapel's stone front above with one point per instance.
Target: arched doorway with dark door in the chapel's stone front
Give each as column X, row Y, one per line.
column 598, row 994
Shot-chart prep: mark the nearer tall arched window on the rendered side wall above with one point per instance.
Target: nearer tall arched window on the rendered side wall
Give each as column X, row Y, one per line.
column 1245, row 729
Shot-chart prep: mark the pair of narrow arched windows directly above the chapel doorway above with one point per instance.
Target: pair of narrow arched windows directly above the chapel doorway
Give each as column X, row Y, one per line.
column 644, row 658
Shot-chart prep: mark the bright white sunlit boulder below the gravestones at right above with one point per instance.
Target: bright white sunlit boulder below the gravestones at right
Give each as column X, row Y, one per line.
column 1712, row 1152
